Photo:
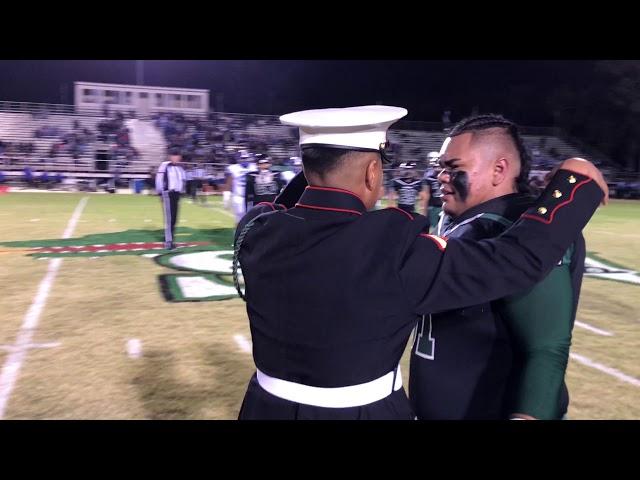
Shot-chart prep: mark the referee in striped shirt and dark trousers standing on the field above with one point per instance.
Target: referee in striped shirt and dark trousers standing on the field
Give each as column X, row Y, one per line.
column 170, row 183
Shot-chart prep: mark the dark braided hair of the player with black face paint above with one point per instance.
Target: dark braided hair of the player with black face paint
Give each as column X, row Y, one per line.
column 486, row 121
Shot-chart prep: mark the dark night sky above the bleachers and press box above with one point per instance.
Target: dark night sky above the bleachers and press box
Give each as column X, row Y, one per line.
column 518, row 89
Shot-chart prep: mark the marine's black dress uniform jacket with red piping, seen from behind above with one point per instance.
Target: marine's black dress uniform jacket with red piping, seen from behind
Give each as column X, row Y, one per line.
column 333, row 291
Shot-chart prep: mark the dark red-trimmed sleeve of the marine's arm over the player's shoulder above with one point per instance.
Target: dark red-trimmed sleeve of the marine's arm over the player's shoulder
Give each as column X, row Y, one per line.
column 441, row 275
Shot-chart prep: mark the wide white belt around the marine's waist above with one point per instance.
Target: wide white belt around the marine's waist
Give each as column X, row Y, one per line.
column 338, row 397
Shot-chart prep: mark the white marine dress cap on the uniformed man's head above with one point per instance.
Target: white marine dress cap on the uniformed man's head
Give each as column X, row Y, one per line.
column 350, row 128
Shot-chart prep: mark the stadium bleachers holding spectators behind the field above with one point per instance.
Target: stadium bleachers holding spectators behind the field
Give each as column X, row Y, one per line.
column 211, row 139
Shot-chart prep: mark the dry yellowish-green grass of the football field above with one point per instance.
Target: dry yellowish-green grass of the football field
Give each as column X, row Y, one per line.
column 194, row 363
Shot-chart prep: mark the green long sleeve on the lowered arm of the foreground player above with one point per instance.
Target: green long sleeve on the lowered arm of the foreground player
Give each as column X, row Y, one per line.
column 540, row 322
